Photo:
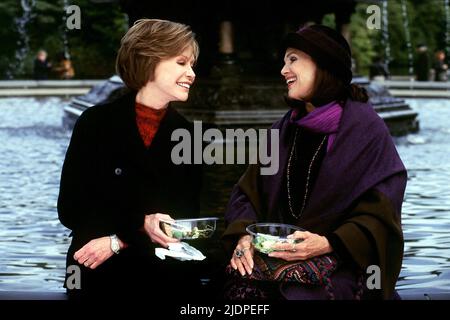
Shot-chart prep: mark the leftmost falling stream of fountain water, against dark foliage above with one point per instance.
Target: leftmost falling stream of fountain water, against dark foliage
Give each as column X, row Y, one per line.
column 16, row 68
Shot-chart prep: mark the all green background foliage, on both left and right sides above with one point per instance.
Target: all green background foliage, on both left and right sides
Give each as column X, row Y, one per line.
column 93, row 48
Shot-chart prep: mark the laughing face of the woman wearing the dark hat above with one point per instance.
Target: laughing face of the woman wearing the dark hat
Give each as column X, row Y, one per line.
column 299, row 71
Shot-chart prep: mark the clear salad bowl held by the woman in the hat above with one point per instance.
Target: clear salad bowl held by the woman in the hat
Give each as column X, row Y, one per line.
column 267, row 235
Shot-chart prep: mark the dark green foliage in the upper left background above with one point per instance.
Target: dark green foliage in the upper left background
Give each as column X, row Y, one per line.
column 92, row 48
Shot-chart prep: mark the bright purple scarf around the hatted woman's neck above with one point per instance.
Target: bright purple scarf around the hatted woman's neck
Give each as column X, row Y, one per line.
column 324, row 119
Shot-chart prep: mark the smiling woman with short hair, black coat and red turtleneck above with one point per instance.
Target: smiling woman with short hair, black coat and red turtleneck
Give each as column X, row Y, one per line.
column 118, row 180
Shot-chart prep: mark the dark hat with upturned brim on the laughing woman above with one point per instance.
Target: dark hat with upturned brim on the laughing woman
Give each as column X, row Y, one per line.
column 327, row 47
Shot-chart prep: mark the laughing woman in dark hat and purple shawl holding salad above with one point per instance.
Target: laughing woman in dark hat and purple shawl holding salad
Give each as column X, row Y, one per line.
column 340, row 178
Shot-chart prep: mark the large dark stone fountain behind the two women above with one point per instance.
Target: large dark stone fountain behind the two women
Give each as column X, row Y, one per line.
column 239, row 84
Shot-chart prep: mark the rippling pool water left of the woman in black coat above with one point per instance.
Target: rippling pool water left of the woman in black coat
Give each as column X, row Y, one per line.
column 32, row 242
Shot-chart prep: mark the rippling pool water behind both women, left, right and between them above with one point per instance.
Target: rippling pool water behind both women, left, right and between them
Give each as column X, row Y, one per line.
column 33, row 243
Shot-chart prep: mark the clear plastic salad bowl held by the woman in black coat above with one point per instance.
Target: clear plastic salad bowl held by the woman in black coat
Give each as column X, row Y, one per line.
column 186, row 229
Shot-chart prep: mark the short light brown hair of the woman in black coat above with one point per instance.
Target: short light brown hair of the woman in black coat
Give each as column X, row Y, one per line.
column 148, row 42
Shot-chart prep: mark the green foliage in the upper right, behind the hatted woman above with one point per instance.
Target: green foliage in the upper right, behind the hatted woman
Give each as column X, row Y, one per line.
column 426, row 24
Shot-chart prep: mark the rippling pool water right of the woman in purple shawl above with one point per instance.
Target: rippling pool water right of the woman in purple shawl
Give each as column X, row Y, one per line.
column 426, row 209
